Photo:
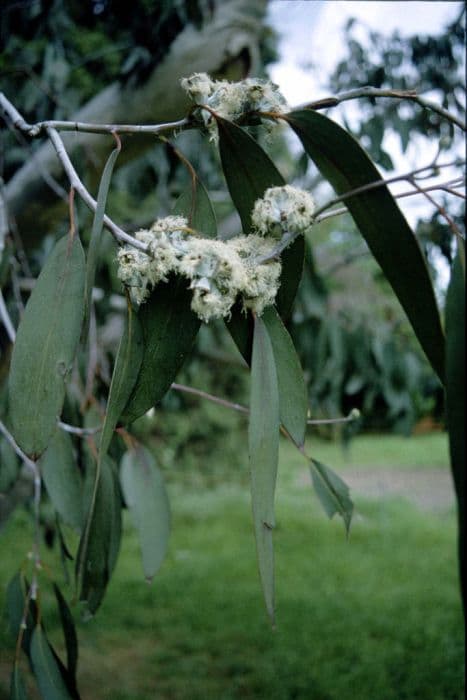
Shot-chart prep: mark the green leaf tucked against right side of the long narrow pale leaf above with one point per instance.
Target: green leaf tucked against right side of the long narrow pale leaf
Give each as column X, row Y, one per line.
column 292, row 391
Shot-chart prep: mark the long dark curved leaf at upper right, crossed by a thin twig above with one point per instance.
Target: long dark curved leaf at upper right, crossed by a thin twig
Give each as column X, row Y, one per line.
column 346, row 166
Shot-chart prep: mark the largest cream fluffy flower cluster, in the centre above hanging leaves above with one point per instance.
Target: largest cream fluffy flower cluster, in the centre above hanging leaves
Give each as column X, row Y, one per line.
column 219, row 271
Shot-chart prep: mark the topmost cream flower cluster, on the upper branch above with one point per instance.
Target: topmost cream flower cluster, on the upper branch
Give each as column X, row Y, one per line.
column 232, row 100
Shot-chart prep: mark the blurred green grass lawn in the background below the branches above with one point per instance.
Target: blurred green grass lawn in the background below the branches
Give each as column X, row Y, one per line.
column 375, row 617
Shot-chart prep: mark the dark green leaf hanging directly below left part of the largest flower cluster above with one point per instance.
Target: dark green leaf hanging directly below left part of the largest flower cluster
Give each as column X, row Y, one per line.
column 169, row 329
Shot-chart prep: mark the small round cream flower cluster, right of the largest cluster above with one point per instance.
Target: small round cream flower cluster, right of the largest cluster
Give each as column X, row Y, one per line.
column 283, row 210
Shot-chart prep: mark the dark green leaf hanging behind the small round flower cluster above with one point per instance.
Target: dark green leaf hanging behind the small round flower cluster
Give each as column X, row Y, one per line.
column 249, row 172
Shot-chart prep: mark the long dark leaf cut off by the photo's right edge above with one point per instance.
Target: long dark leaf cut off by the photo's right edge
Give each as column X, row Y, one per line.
column 455, row 397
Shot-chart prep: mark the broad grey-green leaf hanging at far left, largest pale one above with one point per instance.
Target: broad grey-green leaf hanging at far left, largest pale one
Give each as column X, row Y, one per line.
column 45, row 347
